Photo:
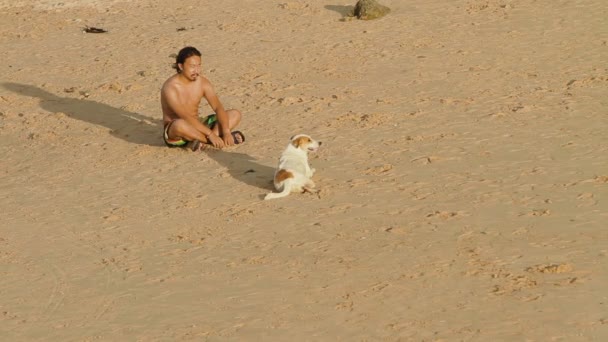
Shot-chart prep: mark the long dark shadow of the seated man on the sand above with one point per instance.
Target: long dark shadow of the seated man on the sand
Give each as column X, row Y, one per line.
column 132, row 127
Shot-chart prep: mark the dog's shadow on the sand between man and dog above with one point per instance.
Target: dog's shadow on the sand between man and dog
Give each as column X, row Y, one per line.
column 244, row 168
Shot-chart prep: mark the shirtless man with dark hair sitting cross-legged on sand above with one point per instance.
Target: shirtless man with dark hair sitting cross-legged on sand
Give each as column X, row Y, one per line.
column 180, row 97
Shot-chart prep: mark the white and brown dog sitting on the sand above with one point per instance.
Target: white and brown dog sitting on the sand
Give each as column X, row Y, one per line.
column 294, row 173
